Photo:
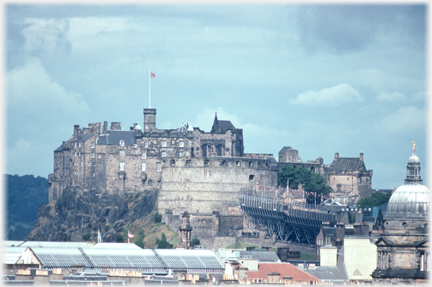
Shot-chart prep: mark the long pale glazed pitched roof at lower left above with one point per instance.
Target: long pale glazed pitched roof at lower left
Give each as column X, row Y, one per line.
column 68, row 254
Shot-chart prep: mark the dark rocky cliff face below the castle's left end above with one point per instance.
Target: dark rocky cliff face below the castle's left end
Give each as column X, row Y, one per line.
column 78, row 213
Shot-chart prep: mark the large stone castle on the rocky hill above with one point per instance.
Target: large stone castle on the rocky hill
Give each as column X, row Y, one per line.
column 193, row 170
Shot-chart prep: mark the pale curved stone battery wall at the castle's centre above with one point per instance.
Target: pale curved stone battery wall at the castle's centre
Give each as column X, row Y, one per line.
column 208, row 184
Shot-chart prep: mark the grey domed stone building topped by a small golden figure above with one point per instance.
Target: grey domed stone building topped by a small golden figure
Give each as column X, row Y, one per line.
column 402, row 249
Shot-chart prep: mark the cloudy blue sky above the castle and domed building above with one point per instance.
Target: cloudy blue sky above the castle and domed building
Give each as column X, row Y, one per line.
column 322, row 79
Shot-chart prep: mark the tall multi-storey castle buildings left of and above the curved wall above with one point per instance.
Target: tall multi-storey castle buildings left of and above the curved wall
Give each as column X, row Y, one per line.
column 115, row 161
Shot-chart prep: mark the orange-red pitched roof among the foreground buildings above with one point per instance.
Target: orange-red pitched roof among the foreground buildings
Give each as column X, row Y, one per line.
column 284, row 269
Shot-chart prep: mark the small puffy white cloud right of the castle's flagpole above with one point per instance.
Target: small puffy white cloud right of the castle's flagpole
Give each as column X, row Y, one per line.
column 334, row 96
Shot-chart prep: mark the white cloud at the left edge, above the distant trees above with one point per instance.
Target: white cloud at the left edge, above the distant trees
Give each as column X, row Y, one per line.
column 32, row 85
